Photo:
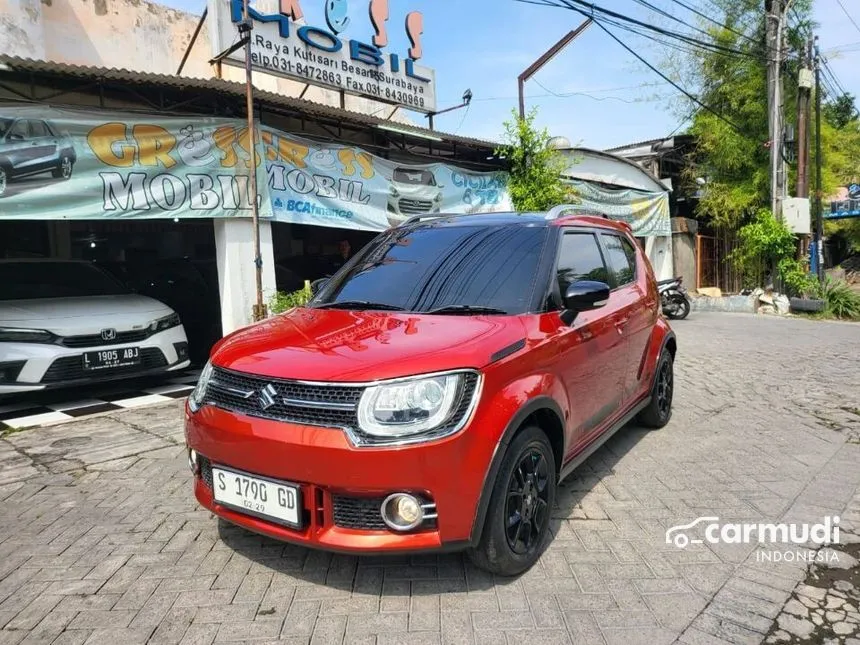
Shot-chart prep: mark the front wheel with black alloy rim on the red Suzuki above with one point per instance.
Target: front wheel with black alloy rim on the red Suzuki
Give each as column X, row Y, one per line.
column 525, row 487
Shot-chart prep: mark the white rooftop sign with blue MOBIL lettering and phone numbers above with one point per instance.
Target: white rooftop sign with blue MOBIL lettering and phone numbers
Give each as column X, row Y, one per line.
column 284, row 45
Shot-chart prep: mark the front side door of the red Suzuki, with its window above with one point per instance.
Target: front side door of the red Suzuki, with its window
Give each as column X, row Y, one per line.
column 591, row 350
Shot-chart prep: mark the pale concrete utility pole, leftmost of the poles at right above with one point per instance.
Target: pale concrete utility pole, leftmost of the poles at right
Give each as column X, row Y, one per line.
column 774, row 34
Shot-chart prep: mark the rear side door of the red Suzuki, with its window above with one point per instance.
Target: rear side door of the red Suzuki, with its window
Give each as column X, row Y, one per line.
column 635, row 316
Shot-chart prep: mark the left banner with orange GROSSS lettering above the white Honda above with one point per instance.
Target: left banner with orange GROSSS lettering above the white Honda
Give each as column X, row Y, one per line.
column 65, row 164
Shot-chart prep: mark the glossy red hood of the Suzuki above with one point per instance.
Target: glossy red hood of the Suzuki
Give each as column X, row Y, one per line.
column 355, row 346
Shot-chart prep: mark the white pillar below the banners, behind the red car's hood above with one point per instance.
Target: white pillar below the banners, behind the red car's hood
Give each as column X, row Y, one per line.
column 234, row 251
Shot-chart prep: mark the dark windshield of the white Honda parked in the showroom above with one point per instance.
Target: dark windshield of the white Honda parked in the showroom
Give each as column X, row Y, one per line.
column 32, row 280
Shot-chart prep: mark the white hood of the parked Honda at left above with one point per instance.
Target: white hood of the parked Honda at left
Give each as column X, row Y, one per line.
column 85, row 315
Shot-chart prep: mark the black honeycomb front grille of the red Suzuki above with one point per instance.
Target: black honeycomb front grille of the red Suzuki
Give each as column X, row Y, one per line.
column 294, row 402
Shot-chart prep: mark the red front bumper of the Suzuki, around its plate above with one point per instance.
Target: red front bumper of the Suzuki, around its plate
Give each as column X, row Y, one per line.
column 331, row 471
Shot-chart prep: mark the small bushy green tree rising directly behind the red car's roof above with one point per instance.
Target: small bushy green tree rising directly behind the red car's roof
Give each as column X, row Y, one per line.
column 535, row 182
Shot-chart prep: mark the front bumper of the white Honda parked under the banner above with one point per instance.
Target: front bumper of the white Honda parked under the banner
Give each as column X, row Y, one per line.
column 48, row 366
